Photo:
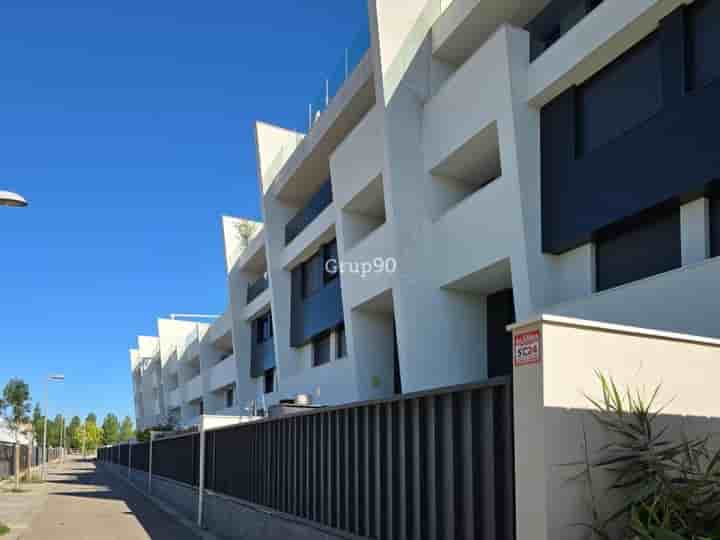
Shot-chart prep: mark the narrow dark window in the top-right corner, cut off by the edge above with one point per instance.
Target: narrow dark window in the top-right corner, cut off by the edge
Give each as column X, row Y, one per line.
column 704, row 29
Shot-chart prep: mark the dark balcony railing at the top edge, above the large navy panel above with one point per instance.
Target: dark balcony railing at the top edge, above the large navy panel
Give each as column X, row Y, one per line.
column 556, row 20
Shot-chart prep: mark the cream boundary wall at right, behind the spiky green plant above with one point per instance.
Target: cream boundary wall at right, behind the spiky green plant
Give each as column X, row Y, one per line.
column 551, row 420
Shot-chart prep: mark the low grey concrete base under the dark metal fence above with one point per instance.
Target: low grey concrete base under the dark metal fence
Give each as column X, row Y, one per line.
column 227, row 517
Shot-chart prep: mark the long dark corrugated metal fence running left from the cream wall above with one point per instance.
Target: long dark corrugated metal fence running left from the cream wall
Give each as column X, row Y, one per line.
column 429, row 465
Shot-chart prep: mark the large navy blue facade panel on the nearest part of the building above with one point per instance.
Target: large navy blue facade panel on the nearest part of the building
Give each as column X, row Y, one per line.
column 636, row 136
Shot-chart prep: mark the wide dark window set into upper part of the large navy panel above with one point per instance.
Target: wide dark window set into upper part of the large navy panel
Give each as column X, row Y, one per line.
column 620, row 97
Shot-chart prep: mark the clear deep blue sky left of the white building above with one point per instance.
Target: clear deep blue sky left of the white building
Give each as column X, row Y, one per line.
column 128, row 125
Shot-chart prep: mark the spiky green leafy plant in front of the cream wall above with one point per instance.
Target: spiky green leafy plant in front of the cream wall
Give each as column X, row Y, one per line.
column 671, row 488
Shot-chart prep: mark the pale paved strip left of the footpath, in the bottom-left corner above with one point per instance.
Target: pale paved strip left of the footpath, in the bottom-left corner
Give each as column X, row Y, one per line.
column 17, row 510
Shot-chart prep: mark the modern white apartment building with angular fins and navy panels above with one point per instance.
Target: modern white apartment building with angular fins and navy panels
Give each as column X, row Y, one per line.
column 481, row 162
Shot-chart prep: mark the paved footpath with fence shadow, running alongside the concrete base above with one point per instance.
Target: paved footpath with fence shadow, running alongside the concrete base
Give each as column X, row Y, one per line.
column 85, row 503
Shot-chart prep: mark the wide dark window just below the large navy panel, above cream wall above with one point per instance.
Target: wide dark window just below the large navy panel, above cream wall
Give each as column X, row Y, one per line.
column 647, row 247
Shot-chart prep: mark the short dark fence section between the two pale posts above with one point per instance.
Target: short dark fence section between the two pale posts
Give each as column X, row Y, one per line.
column 177, row 458
